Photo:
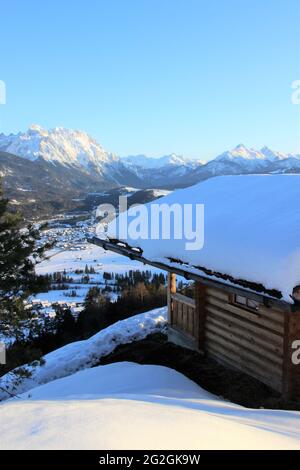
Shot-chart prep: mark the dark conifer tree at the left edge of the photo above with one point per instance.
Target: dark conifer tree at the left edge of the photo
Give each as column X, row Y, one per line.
column 19, row 252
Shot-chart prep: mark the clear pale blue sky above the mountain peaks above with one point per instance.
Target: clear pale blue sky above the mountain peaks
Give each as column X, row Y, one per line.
column 194, row 77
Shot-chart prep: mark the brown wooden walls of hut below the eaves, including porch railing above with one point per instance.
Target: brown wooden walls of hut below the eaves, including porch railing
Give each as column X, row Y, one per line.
column 260, row 343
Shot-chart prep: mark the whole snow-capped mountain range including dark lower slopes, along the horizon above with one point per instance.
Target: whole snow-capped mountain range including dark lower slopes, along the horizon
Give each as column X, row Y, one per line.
column 52, row 169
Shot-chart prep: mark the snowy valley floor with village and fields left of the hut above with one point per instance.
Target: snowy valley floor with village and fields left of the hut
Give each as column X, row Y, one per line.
column 75, row 265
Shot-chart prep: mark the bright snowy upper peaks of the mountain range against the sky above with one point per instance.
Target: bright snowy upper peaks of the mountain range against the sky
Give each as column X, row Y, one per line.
column 78, row 151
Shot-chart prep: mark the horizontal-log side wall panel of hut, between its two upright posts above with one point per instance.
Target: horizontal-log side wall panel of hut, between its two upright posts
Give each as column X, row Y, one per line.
column 249, row 341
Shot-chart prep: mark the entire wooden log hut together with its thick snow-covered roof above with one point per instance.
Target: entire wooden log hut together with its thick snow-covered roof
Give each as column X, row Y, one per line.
column 245, row 312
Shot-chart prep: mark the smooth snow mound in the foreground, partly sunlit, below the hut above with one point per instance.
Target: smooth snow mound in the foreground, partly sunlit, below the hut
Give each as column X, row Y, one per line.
column 131, row 406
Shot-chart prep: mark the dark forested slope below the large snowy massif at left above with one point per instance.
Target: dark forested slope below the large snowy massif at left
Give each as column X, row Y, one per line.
column 41, row 189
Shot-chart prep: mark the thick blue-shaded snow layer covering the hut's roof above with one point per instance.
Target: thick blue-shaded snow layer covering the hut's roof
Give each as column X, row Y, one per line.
column 251, row 229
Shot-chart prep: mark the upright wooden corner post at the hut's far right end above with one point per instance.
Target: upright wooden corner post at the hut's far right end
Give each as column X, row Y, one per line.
column 291, row 369
